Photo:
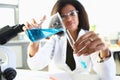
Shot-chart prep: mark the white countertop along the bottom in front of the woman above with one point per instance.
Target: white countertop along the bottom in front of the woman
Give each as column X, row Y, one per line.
column 43, row 75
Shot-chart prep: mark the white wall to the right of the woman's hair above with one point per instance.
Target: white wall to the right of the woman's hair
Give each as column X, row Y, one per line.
column 105, row 14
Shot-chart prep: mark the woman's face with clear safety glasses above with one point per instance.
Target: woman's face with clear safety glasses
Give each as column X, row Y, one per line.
column 70, row 17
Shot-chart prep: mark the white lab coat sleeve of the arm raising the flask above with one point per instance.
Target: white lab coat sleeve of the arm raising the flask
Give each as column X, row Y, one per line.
column 42, row 58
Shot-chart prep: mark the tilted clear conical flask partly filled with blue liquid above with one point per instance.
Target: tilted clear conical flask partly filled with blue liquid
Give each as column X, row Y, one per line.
column 49, row 27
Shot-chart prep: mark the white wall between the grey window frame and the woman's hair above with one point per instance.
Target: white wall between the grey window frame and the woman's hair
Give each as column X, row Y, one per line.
column 34, row 9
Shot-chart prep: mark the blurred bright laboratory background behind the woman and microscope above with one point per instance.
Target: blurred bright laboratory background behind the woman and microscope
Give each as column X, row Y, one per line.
column 104, row 17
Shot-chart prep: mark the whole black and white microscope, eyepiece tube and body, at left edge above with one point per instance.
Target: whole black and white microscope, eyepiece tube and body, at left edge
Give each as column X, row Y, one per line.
column 7, row 57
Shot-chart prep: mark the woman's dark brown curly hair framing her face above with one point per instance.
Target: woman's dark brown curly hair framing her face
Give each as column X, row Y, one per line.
column 83, row 17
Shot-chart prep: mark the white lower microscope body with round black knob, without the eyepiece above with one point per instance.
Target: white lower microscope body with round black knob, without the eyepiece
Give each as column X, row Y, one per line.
column 7, row 64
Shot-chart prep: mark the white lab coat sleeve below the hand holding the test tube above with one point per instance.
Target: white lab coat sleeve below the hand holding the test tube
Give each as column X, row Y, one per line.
column 107, row 69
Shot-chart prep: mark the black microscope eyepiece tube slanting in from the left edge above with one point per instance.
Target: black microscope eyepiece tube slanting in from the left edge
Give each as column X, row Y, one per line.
column 8, row 32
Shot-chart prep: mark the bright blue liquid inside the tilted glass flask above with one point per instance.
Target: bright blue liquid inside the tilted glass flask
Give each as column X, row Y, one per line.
column 38, row 34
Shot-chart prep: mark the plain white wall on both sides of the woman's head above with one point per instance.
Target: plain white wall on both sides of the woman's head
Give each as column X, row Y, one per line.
column 105, row 14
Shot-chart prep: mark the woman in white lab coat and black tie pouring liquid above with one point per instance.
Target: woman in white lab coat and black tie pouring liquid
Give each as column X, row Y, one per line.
column 89, row 50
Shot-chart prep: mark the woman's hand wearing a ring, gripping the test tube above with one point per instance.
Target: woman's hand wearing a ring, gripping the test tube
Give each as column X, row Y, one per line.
column 89, row 43
